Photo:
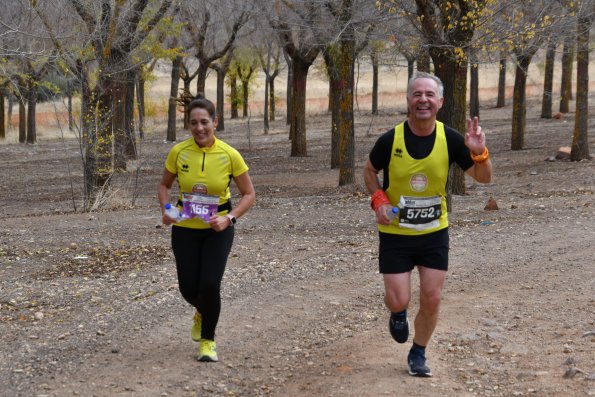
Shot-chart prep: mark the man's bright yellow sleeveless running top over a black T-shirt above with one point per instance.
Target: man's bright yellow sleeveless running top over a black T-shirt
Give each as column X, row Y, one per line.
column 418, row 186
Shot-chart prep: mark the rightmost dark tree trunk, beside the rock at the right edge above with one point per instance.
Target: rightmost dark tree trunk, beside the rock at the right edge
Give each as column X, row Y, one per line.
column 580, row 140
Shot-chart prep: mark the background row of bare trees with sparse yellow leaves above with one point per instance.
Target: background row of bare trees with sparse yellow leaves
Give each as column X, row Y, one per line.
column 102, row 52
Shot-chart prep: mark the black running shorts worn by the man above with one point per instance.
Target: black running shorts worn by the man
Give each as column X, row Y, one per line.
column 400, row 254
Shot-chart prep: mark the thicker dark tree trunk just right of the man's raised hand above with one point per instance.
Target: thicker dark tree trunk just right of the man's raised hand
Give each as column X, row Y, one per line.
column 519, row 102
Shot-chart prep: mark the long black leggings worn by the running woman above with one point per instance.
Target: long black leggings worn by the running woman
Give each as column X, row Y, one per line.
column 201, row 256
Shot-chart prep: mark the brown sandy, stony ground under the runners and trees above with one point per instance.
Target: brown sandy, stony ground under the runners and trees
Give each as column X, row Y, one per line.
column 89, row 303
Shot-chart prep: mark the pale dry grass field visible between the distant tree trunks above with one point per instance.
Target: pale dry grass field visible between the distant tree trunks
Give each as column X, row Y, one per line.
column 52, row 121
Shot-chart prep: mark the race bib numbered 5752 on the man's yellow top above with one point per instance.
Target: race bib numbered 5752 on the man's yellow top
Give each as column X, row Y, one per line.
column 420, row 213
